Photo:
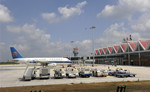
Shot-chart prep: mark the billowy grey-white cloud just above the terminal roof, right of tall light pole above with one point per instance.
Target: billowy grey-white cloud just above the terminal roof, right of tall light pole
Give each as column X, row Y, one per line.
column 114, row 35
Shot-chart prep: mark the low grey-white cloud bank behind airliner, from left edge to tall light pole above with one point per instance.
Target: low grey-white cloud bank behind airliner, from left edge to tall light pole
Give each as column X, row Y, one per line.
column 31, row 41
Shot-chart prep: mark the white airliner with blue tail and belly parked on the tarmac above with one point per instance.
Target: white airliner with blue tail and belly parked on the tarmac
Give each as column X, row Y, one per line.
column 17, row 57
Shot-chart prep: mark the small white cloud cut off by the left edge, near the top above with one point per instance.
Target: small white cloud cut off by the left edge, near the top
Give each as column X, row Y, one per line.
column 5, row 14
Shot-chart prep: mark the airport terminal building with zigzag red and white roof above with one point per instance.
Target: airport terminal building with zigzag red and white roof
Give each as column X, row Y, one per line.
column 128, row 53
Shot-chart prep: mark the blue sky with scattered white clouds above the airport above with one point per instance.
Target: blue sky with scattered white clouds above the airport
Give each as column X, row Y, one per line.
column 46, row 28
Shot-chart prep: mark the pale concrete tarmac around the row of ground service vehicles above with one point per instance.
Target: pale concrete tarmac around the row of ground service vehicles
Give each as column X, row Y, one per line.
column 11, row 76
